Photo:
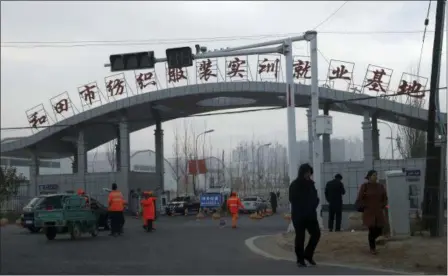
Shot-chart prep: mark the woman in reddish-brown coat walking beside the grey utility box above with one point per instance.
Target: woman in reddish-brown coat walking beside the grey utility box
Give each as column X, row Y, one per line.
column 372, row 201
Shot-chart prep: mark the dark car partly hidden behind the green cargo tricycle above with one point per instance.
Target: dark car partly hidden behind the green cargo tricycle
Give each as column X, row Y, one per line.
column 54, row 201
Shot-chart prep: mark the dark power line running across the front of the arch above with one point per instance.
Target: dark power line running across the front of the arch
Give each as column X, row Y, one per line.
column 215, row 114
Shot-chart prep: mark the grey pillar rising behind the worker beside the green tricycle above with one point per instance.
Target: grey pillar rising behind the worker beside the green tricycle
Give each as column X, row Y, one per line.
column 125, row 158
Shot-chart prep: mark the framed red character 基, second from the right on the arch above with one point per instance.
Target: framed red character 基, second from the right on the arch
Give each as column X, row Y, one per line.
column 377, row 79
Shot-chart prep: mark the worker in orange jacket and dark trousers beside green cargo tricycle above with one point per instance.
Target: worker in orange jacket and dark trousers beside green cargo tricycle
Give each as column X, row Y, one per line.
column 116, row 207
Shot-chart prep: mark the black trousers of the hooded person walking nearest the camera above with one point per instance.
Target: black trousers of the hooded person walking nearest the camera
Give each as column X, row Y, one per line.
column 312, row 226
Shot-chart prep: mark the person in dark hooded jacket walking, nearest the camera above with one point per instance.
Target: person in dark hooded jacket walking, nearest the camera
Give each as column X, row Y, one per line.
column 304, row 201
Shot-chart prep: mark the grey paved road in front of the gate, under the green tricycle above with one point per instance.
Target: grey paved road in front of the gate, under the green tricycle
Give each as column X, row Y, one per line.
column 181, row 245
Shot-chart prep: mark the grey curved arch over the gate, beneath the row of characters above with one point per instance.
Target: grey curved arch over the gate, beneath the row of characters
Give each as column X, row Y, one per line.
column 98, row 124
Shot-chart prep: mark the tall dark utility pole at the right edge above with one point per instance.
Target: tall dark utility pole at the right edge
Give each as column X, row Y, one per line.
column 432, row 193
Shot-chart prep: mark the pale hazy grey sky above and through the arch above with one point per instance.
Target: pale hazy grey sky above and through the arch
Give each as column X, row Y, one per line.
column 33, row 75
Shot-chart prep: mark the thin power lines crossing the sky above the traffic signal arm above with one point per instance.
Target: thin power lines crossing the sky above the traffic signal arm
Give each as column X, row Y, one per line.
column 135, row 42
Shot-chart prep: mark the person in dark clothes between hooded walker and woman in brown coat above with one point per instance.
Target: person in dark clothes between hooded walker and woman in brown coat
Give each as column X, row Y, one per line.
column 334, row 190
